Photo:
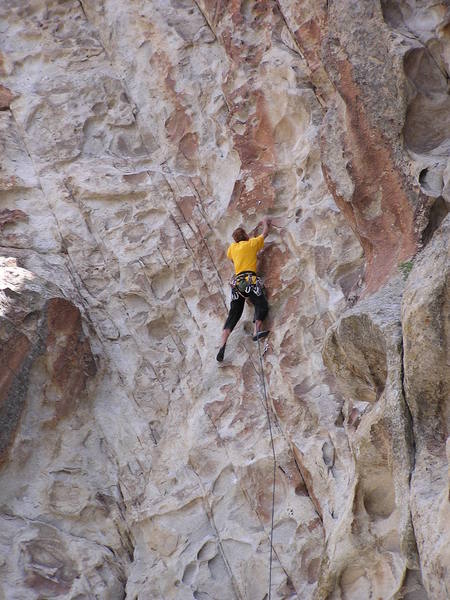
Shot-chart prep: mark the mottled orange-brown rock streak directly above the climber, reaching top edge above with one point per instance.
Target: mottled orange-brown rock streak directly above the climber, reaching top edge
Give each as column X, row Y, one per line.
column 252, row 132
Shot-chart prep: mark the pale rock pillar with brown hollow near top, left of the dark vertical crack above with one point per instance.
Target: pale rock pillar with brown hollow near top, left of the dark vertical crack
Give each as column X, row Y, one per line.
column 364, row 351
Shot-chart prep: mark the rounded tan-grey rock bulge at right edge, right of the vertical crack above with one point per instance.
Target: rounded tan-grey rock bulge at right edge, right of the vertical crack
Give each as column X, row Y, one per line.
column 425, row 316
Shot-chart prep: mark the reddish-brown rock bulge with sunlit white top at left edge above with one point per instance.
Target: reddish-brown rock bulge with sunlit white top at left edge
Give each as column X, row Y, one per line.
column 36, row 326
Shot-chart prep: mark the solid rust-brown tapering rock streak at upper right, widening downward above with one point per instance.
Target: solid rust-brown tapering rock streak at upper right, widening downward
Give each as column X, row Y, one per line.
column 380, row 211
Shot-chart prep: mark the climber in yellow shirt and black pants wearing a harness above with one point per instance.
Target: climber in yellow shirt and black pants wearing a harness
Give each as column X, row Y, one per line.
column 245, row 283
